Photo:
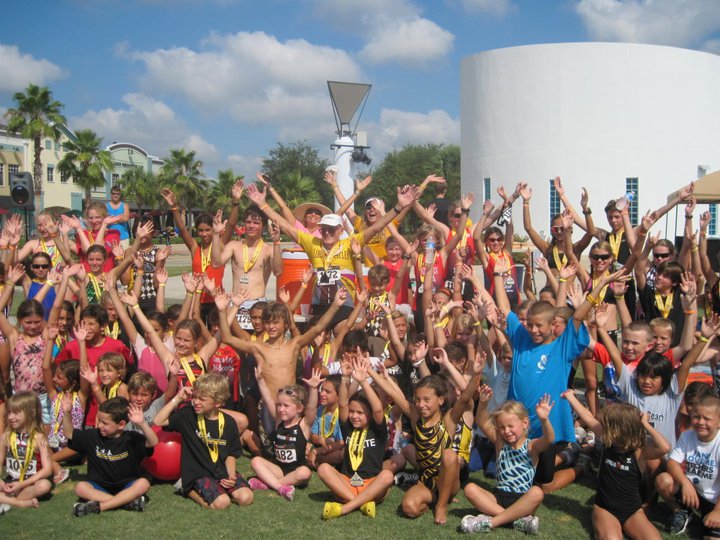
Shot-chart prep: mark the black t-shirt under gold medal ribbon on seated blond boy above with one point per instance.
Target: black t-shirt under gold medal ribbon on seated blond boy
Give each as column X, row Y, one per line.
column 195, row 461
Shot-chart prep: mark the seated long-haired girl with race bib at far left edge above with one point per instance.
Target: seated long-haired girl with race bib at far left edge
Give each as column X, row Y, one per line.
column 26, row 453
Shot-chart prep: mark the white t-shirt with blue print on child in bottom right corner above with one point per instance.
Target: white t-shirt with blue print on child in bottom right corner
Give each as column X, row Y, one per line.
column 702, row 462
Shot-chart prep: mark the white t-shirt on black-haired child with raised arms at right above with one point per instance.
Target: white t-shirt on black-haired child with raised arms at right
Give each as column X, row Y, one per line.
column 662, row 407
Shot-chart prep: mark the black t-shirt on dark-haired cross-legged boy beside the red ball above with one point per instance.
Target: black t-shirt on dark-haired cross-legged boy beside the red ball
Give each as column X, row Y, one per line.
column 112, row 462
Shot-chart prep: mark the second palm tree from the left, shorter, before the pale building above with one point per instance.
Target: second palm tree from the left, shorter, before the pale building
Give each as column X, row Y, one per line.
column 86, row 162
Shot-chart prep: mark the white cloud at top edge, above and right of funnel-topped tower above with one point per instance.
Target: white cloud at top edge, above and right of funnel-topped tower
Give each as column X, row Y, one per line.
column 394, row 30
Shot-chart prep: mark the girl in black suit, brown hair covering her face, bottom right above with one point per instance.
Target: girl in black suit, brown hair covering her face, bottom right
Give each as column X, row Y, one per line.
column 629, row 441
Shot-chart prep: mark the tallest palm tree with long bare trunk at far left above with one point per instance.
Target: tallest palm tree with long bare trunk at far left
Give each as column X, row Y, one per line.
column 36, row 115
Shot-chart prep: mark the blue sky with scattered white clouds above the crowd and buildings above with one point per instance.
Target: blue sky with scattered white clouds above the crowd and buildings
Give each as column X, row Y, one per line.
column 231, row 78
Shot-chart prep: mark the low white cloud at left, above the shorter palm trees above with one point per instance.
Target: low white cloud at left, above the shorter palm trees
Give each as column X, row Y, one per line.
column 150, row 124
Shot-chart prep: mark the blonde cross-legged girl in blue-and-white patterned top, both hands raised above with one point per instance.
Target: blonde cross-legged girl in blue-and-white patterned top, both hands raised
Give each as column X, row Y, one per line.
column 514, row 498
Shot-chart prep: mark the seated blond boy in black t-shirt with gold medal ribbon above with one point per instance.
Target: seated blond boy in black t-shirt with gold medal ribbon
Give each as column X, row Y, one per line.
column 211, row 444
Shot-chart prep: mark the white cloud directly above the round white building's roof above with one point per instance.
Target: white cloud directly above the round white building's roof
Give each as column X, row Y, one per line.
column 663, row 22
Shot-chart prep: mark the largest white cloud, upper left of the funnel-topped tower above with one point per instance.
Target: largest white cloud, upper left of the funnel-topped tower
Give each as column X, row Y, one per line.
column 253, row 77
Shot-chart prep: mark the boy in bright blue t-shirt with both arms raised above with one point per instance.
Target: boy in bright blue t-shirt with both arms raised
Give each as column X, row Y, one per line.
column 541, row 364
